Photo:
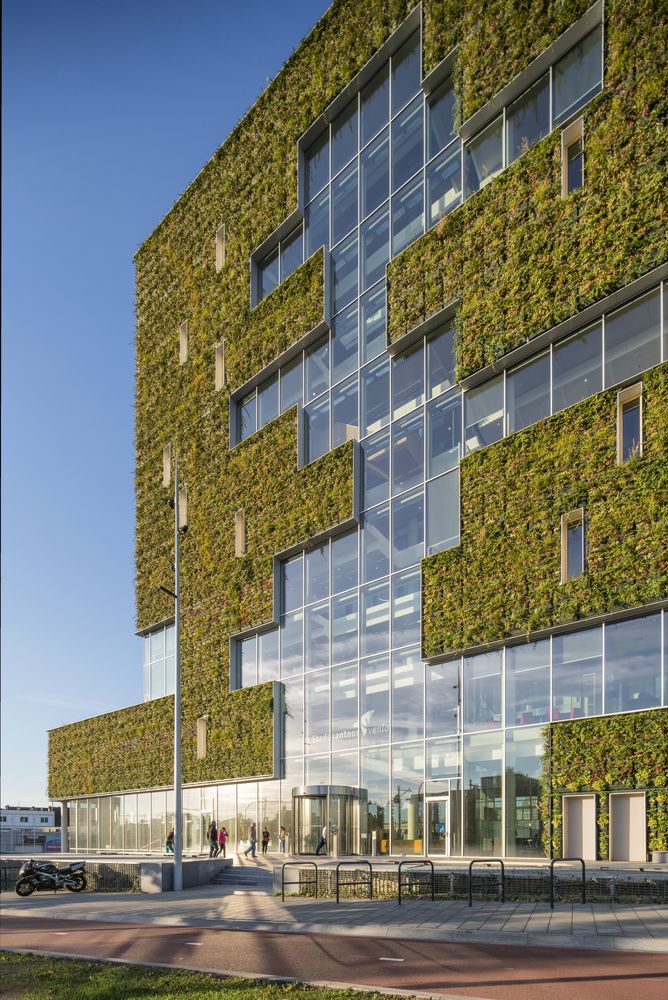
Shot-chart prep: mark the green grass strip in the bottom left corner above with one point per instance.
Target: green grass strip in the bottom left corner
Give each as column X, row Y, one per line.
column 33, row 977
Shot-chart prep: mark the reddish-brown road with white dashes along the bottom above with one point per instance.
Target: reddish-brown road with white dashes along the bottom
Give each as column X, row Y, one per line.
column 477, row 971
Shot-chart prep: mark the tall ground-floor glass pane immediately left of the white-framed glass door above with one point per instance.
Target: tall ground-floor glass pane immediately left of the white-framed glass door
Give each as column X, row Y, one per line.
column 407, row 812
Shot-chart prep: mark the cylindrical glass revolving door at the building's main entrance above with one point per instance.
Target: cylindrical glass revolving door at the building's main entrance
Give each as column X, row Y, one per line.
column 338, row 809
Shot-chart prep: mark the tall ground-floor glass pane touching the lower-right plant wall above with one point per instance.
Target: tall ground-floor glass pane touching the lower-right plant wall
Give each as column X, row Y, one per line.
column 524, row 774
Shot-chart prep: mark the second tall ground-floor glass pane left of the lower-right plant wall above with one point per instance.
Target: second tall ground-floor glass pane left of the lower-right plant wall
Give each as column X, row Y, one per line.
column 483, row 781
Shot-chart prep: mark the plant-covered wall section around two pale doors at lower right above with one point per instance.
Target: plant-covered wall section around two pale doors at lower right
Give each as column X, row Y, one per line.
column 616, row 753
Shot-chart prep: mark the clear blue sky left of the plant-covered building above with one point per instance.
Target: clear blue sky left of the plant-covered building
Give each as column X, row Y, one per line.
column 110, row 110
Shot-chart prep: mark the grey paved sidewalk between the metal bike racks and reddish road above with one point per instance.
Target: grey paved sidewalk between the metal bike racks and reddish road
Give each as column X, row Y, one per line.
column 599, row 926
